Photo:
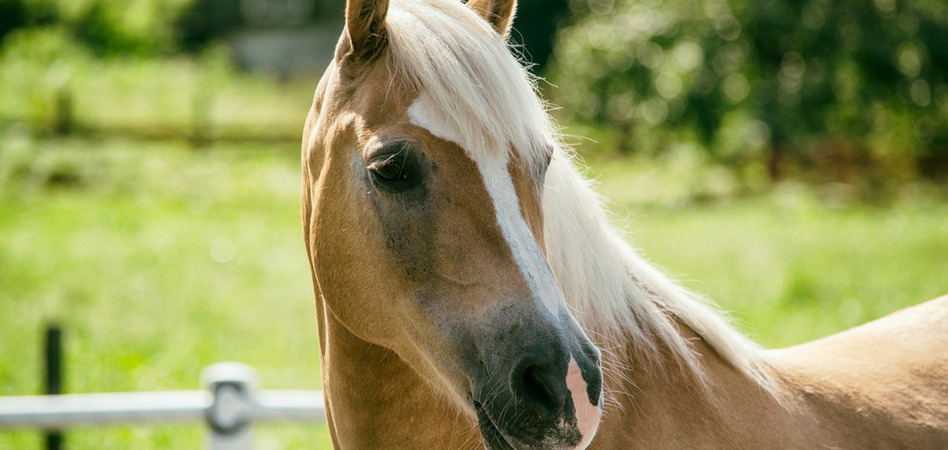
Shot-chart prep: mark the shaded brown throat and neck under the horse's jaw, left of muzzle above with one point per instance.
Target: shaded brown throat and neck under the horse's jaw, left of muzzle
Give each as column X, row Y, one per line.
column 375, row 400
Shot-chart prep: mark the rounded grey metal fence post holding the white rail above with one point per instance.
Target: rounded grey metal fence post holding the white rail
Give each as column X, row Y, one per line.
column 233, row 387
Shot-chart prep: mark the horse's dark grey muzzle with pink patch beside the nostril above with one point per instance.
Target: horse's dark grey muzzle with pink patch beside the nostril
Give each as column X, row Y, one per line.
column 545, row 393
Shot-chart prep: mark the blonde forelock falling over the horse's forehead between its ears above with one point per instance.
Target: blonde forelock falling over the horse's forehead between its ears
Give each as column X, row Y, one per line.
column 453, row 56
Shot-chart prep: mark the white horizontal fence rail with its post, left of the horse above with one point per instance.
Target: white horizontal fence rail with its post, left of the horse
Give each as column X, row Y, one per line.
column 230, row 405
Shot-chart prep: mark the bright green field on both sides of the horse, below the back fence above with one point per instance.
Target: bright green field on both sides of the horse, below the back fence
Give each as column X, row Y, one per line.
column 160, row 260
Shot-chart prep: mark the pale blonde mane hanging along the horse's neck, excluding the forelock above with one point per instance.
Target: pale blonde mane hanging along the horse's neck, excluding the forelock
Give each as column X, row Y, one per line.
column 613, row 291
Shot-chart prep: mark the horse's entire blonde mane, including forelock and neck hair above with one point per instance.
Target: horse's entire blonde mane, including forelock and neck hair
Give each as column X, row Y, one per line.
column 492, row 102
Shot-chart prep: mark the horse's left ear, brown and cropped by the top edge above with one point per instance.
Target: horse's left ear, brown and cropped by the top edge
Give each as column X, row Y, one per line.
column 365, row 26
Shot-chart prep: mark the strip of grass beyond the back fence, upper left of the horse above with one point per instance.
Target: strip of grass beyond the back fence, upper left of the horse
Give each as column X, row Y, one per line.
column 48, row 82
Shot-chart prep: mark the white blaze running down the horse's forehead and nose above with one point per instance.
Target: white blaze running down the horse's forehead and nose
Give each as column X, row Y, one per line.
column 493, row 167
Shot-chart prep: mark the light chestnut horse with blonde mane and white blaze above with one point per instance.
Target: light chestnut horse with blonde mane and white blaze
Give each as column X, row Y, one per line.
column 466, row 278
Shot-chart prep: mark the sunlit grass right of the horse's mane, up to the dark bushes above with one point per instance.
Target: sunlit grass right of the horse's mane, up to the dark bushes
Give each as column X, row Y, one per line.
column 791, row 265
